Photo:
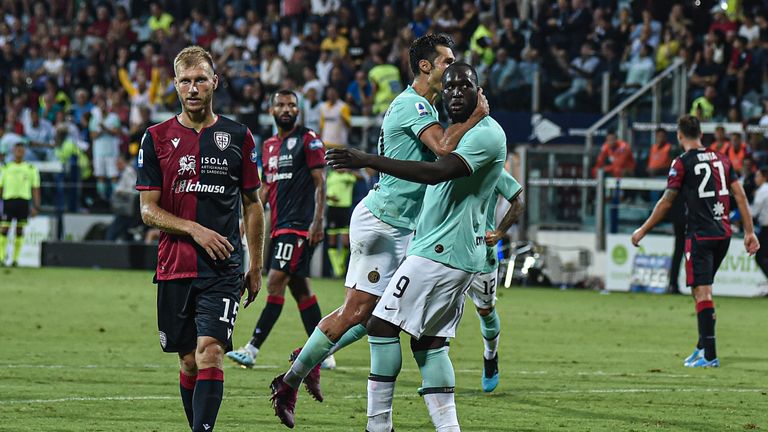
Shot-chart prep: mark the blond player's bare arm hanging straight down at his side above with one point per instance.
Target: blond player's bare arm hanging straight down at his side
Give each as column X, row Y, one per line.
column 253, row 218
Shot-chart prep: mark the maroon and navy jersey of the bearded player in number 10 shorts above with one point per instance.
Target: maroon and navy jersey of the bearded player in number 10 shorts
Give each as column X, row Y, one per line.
column 287, row 165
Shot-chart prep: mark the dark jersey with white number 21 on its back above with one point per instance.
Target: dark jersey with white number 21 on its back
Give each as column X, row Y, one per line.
column 704, row 178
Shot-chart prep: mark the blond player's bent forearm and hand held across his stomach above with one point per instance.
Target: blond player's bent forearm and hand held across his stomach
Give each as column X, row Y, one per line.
column 216, row 245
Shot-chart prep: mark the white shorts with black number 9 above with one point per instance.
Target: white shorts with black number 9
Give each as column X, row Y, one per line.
column 425, row 298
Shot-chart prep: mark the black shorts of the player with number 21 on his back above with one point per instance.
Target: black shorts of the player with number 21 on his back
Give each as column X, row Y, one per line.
column 702, row 259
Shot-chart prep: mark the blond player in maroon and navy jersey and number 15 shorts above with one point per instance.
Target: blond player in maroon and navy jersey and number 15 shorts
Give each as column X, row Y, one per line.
column 195, row 171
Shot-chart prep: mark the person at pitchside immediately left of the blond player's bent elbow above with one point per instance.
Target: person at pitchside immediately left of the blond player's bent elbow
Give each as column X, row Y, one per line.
column 124, row 202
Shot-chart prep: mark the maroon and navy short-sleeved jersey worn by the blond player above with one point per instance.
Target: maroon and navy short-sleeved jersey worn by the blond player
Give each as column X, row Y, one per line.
column 201, row 176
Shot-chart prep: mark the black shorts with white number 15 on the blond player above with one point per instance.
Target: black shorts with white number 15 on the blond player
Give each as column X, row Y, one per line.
column 188, row 308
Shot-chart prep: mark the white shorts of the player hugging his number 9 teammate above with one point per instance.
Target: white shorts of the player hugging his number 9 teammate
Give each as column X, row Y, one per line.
column 376, row 249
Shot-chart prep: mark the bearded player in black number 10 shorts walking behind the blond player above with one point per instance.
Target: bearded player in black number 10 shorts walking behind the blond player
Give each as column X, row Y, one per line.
column 294, row 185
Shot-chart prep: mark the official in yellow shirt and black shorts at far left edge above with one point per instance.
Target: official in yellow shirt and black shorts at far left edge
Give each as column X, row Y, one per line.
column 19, row 184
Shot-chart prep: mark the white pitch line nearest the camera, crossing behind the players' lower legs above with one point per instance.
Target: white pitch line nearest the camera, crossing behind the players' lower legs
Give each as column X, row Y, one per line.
column 399, row 396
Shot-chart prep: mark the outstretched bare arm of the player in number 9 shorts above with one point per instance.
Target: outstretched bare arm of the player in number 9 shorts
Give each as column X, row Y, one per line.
column 443, row 169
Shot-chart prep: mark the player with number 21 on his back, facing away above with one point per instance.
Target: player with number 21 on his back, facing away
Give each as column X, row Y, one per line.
column 706, row 181
